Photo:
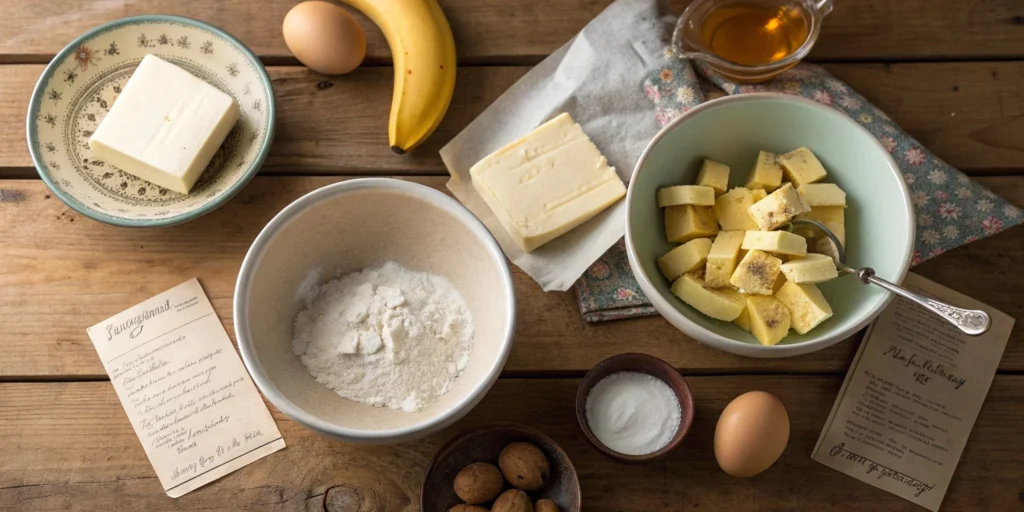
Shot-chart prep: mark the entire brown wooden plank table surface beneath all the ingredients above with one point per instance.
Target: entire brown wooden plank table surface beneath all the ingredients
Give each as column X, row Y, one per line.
column 951, row 72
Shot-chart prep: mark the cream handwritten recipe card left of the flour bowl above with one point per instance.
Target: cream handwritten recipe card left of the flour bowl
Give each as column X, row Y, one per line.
column 185, row 390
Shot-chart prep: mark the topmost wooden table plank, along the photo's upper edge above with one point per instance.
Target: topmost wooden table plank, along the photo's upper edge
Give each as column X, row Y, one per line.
column 497, row 31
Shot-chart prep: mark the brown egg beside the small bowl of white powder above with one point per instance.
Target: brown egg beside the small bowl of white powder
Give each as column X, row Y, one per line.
column 751, row 435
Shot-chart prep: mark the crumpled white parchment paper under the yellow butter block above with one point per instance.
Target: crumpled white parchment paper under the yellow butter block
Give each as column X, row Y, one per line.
column 598, row 79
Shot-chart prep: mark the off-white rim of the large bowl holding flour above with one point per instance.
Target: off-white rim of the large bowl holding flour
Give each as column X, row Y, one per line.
column 281, row 221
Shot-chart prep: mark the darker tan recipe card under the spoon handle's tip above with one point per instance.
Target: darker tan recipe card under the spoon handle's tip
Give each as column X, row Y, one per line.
column 912, row 397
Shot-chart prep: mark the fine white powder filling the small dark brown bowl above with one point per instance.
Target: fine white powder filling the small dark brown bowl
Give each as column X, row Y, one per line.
column 633, row 413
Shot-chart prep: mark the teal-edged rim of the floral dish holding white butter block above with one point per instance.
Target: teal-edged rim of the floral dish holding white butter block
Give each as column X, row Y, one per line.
column 74, row 203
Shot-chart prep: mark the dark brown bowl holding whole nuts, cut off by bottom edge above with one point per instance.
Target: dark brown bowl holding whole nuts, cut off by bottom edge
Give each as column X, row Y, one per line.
column 485, row 445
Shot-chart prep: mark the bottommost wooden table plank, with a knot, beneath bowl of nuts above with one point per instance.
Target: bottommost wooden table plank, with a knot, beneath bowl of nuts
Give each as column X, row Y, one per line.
column 79, row 453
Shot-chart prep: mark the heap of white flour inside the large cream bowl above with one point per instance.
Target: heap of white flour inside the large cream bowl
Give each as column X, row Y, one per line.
column 386, row 337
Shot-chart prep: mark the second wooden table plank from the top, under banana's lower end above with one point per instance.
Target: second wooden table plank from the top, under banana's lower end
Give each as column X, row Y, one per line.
column 970, row 114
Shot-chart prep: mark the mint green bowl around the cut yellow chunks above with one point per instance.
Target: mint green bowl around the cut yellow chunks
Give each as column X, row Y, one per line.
column 880, row 228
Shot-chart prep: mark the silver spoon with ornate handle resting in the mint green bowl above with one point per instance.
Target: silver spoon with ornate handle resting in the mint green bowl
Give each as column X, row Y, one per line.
column 972, row 322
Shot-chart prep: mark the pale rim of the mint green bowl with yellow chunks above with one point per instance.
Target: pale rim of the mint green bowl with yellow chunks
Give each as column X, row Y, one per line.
column 692, row 329
